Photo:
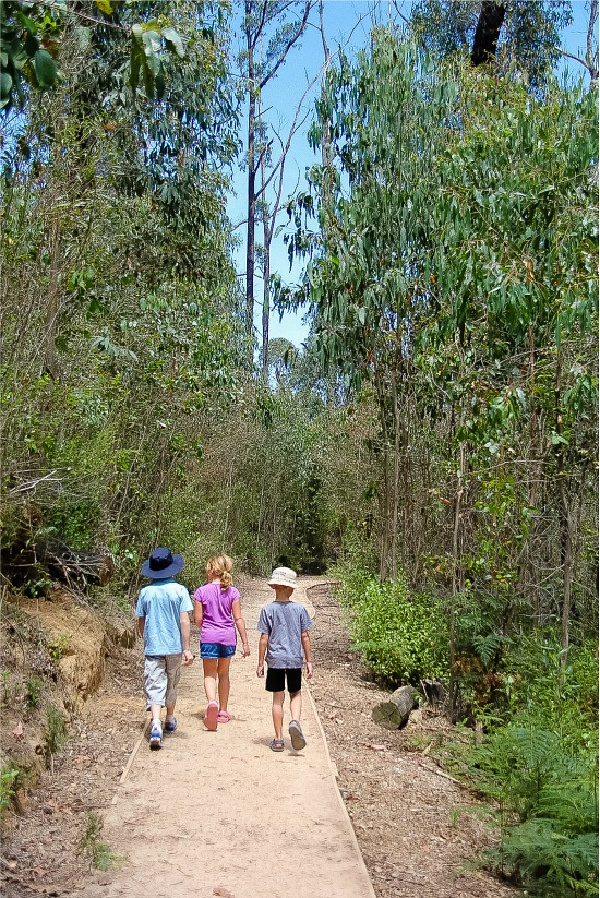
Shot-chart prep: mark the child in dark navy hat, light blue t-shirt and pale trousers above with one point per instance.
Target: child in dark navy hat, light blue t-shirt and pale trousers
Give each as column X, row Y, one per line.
column 163, row 610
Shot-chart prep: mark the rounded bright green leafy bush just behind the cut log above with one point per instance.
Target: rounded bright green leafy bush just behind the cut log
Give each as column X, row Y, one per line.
column 401, row 636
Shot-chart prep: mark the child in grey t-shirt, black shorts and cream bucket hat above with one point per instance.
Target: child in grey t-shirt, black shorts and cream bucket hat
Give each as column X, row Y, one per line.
column 284, row 627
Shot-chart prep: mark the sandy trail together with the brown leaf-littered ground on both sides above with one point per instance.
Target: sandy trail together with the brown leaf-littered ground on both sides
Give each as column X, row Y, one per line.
column 219, row 814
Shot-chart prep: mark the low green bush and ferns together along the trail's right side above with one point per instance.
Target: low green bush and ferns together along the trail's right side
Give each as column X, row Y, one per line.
column 534, row 759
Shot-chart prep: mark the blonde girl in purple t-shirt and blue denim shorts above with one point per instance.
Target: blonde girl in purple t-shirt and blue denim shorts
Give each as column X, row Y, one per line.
column 218, row 613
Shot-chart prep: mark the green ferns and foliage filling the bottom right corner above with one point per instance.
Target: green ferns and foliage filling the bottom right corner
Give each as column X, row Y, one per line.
column 539, row 767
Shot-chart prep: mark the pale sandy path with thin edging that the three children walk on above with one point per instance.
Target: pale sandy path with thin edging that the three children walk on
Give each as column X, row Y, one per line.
column 221, row 814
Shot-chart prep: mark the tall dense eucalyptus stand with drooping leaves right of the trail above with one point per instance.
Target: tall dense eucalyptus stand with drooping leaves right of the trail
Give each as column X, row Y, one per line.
column 445, row 291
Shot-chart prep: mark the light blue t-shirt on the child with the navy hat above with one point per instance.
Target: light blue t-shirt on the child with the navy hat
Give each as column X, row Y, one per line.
column 160, row 604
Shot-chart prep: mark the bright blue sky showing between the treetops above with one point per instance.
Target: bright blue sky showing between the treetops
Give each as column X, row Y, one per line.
column 345, row 23
